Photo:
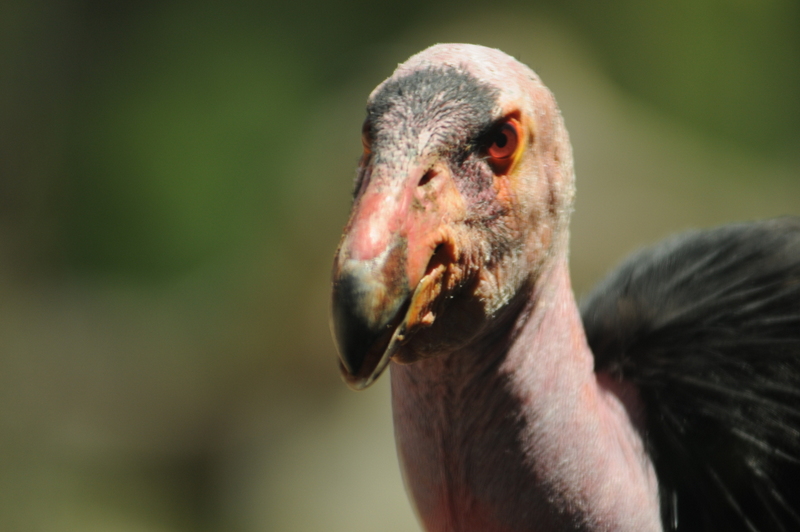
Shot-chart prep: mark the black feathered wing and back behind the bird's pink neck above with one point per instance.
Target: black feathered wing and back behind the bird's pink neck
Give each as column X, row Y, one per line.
column 707, row 325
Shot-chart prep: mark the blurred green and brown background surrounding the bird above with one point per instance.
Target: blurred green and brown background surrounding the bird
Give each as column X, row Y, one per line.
column 174, row 177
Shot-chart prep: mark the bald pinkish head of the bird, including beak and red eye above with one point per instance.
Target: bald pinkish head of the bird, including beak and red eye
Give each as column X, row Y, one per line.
column 462, row 196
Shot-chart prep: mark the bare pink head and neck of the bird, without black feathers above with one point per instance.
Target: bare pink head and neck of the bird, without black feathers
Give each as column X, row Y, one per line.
column 453, row 269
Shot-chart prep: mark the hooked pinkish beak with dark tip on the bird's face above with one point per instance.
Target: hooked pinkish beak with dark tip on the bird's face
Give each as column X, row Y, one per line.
column 384, row 258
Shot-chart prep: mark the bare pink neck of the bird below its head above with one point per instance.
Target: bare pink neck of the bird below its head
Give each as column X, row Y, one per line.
column 524, row 436
